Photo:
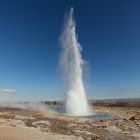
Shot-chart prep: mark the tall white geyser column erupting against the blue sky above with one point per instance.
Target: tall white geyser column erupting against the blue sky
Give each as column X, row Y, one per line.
column 72, row 65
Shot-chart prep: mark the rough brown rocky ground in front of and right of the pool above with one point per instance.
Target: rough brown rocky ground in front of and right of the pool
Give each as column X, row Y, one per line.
column 125, row 127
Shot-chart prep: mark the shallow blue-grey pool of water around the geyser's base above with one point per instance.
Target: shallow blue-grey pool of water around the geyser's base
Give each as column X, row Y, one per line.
column 95, row 115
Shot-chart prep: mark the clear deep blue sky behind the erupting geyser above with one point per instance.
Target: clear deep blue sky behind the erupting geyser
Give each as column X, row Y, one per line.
column 109, row 32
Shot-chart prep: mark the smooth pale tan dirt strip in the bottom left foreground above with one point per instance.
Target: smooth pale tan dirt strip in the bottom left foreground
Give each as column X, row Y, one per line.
column 10, row 133
